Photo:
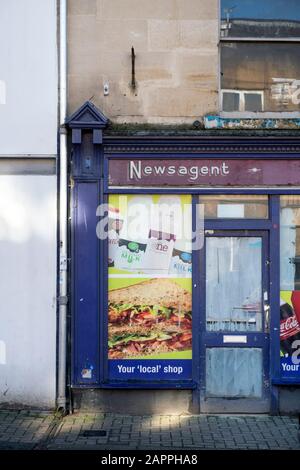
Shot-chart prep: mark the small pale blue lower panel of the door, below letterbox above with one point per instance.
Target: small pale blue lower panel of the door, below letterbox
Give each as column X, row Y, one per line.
column 234, row 372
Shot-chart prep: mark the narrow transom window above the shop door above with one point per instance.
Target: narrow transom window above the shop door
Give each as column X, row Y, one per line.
column 235, row 207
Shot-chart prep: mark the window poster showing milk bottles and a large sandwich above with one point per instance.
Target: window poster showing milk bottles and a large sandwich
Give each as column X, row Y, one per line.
column 150, row 288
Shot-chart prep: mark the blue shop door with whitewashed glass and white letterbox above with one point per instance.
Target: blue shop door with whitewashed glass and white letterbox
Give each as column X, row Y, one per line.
column 235, row 326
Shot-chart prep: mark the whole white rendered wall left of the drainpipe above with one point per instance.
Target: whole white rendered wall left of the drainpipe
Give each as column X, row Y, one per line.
column 28, row 198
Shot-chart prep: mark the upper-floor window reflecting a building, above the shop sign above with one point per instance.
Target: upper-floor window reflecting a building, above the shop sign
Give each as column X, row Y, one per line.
column 260, row 70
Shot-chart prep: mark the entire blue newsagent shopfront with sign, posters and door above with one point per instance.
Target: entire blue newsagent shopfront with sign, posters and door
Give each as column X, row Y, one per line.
column 184, row 268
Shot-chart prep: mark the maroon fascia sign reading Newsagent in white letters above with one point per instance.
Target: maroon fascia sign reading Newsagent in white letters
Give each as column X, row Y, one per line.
column 203, row 172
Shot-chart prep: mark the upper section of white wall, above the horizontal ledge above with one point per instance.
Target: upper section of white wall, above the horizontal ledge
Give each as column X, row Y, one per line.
column 28, row 77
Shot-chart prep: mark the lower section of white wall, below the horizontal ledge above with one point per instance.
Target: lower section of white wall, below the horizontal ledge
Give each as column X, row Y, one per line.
column 28, row 290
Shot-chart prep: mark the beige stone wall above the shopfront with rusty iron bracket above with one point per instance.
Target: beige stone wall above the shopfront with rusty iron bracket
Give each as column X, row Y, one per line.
column 176, row 50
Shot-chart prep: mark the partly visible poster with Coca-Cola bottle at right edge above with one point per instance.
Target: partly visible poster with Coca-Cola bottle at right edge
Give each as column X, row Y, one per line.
column 290, row 333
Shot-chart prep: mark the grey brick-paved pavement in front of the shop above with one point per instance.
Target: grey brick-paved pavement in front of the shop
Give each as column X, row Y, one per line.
column 39, row 430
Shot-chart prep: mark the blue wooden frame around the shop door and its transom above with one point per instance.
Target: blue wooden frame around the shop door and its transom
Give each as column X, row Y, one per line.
column 271, row 227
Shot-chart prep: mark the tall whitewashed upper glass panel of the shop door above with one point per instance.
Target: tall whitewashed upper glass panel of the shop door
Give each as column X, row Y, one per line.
column 234, row 283
